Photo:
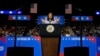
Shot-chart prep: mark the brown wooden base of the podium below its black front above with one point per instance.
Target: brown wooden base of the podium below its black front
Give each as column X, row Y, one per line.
column 50, row 46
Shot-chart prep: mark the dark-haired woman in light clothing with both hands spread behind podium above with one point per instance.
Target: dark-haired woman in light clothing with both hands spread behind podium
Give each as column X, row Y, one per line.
column 50, row 19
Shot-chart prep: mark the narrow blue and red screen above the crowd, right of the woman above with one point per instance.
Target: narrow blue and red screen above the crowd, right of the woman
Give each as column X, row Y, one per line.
column 82, row 18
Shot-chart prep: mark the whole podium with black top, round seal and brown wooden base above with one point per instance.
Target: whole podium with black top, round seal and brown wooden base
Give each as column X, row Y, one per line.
column 50, row 34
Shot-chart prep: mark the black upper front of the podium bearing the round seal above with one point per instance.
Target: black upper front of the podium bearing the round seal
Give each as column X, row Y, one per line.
column 50, row 30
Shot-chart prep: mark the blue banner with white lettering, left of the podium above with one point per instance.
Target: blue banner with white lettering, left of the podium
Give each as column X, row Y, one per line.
column 22, row 42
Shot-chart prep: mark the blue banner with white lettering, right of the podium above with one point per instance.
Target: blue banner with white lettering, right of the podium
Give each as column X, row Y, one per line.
column 75, row 41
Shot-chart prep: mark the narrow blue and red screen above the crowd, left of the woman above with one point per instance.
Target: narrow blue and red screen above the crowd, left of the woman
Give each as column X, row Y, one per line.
column 19, row 17
